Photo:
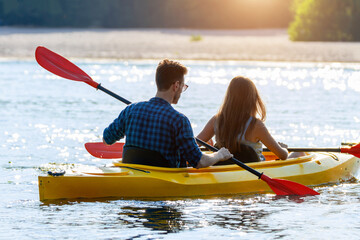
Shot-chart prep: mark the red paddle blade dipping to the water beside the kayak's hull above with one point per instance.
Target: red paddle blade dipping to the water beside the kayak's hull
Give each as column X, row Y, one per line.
column 286, row 187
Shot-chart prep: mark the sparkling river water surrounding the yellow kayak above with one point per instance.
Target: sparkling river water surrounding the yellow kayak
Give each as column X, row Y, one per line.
column 45, row 122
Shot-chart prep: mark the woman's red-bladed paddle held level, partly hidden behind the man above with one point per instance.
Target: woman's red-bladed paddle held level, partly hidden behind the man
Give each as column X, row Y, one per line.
column 100, row 150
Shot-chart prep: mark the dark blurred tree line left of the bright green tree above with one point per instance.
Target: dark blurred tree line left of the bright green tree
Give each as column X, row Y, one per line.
column 208, row 14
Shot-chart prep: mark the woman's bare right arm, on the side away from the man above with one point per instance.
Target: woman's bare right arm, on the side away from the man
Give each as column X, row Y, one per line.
column 265, row 137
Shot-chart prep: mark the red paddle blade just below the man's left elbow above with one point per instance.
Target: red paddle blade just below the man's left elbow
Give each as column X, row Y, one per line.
column 100, row 150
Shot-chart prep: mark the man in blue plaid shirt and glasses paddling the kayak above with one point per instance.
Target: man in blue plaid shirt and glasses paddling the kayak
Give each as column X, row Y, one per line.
column 156, row 126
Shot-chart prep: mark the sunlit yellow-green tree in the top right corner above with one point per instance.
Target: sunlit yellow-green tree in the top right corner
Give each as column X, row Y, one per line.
column 325, row 20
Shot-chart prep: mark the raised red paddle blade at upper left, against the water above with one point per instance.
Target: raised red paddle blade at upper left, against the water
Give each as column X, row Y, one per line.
column 62, row 67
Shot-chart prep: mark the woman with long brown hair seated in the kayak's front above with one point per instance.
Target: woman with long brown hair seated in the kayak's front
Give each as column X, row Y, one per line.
column 240, row 121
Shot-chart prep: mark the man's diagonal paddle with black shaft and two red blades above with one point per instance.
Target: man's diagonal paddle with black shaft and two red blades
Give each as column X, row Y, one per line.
column 64, row 68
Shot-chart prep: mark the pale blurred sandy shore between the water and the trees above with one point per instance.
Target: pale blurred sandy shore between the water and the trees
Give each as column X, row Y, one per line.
column 264, row 45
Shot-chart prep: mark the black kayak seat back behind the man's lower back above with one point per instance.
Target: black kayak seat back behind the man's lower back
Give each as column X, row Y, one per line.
column 136, row 155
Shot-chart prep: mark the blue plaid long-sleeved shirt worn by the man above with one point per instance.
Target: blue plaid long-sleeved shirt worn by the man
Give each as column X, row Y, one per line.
column 157, row 126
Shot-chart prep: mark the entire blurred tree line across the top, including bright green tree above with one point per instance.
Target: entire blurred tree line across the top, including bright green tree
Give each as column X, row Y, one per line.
column 306, row 20
